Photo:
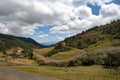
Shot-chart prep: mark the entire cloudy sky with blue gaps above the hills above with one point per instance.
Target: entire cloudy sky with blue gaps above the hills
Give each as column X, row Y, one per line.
column 50, row 21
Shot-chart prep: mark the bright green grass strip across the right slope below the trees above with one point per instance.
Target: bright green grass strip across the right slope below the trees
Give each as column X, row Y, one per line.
column 101, row 44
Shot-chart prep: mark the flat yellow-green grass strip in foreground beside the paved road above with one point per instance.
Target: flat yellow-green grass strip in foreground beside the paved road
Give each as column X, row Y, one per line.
column 69, row 73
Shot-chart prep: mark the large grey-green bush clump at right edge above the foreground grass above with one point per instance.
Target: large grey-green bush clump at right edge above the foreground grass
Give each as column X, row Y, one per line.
column 103, row 56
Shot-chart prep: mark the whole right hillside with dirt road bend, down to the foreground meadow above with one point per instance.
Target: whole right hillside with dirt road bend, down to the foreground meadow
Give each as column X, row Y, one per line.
column 96, row 45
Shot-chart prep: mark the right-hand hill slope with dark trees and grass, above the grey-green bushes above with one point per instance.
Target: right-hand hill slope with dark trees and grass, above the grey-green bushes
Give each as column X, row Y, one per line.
column 108, row 33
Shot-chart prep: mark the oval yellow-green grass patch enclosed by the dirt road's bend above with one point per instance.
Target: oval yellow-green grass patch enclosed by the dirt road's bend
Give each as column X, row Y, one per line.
column 65, row 54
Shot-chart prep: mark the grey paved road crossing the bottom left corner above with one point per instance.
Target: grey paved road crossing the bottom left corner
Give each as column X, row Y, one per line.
column 15, row 75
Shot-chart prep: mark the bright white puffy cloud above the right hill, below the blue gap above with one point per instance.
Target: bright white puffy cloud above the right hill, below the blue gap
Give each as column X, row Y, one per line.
column 84, row 19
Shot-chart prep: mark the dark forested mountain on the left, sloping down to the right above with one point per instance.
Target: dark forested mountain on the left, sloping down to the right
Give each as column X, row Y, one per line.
column 9, row 41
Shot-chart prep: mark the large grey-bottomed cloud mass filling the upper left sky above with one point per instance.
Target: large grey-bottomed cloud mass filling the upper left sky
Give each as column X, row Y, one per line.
column 26, row 13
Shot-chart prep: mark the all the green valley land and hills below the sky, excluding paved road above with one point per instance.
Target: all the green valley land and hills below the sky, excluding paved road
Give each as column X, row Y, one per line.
column 90, row 55
